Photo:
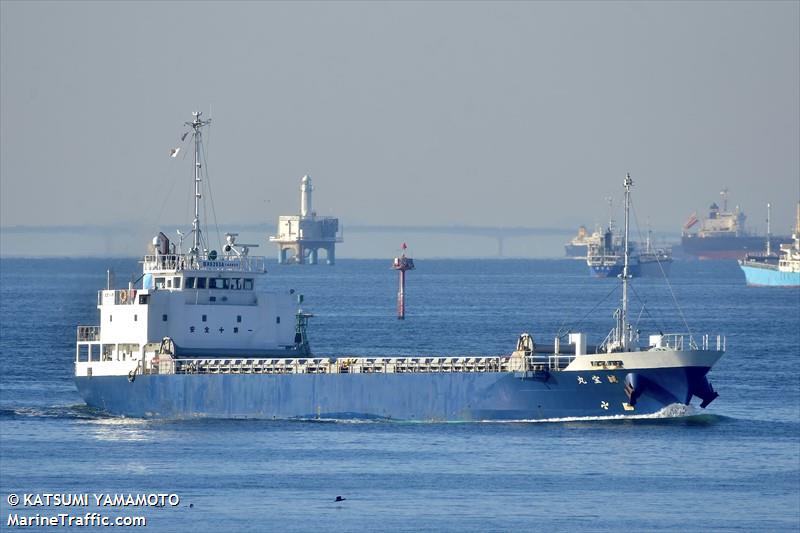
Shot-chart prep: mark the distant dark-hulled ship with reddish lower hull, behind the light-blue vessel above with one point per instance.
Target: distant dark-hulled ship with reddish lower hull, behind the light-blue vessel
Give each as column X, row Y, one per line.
column 722, row 235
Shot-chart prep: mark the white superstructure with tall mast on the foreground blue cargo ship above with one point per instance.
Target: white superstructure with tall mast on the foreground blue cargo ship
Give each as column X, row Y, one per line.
column 195, row 304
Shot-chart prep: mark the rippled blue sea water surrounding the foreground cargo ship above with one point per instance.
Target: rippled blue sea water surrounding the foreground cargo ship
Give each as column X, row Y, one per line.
column 732, row 467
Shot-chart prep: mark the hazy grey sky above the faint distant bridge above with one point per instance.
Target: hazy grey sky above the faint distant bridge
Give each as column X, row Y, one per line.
column 502, row 114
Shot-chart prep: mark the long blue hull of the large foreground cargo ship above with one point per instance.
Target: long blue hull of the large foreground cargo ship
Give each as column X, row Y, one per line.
column 458, row 396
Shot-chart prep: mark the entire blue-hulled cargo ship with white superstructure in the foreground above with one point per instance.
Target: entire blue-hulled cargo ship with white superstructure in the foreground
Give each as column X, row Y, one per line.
column 196, row 337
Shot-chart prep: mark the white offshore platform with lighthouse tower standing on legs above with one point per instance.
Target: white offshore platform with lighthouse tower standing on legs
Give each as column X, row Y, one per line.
column 301, row 237
